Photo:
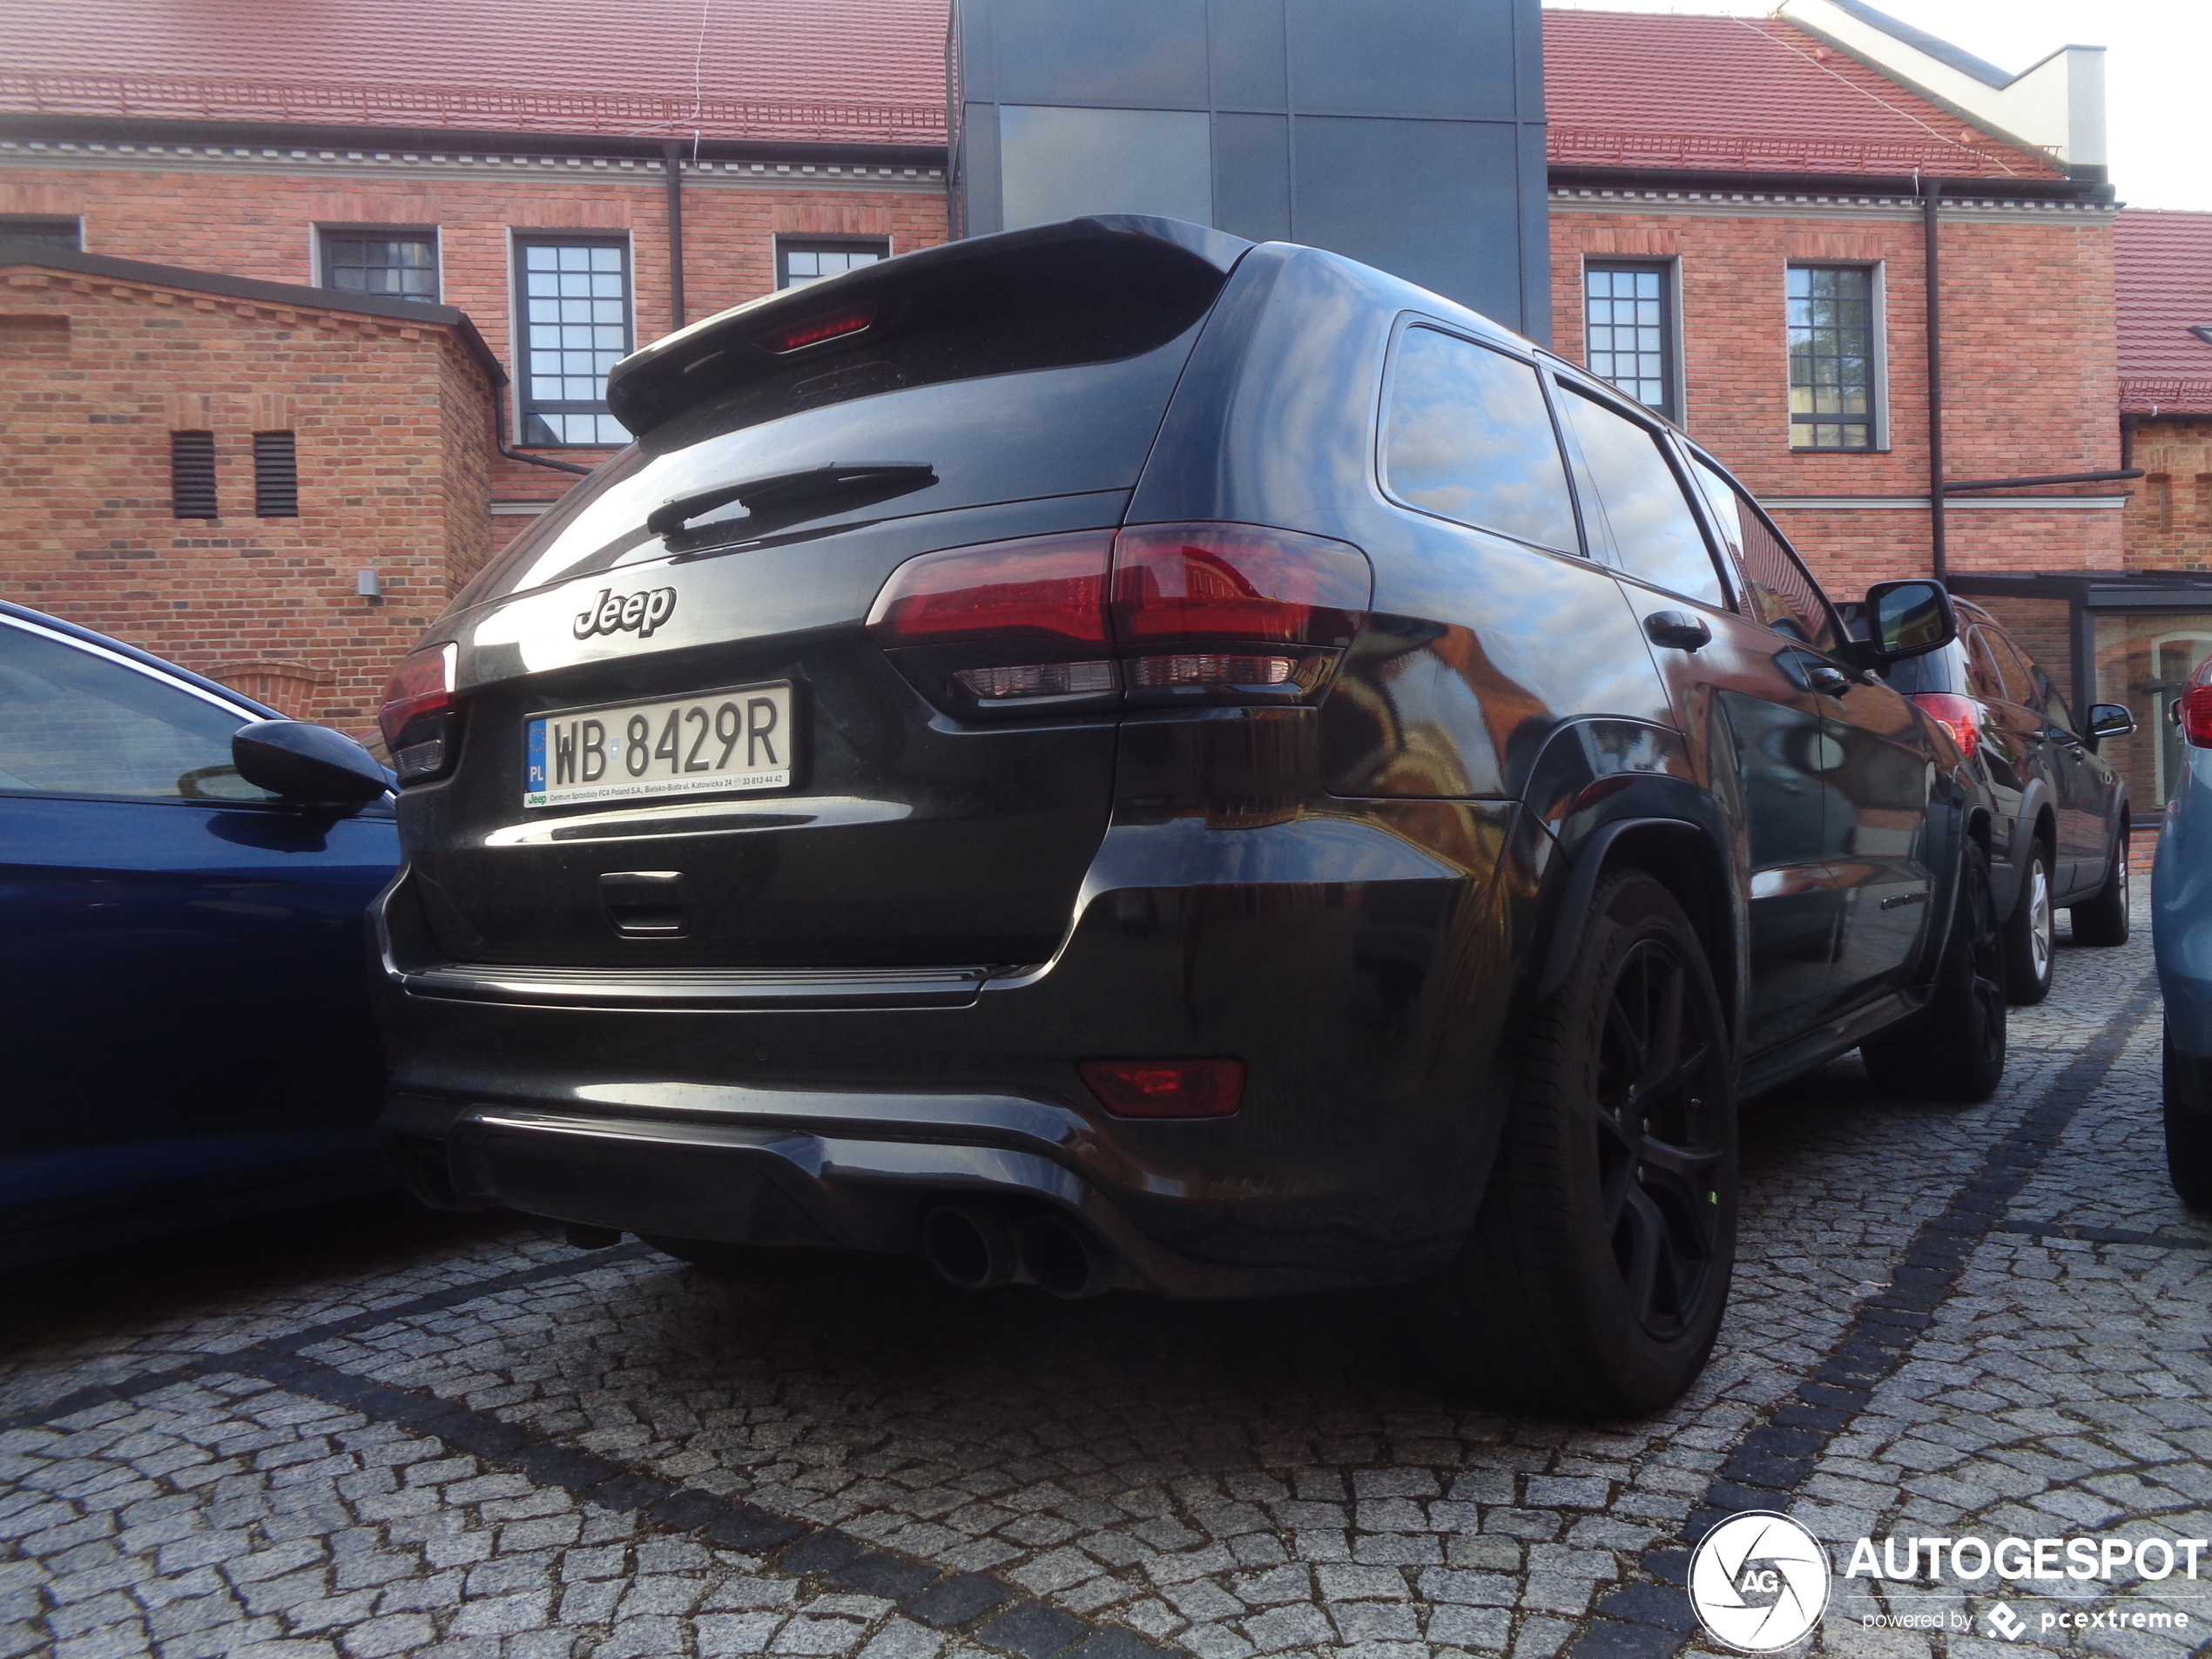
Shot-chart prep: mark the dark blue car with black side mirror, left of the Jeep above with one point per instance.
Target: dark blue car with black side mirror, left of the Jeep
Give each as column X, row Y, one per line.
column 182, row 890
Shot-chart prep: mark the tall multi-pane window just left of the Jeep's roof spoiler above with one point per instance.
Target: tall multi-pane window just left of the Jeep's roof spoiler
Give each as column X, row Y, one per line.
column 576, row 320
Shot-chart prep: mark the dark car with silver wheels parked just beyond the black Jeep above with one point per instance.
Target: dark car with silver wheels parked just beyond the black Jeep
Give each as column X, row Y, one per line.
column 2060, row 815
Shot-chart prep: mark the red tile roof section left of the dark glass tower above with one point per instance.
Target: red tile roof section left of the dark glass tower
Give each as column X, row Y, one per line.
column 766, row 70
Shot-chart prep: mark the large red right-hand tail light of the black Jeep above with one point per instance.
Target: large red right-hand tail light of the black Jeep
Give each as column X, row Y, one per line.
column 1149, row 616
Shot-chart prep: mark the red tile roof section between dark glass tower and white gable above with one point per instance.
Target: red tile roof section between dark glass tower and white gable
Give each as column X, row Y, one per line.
column 1746, row 94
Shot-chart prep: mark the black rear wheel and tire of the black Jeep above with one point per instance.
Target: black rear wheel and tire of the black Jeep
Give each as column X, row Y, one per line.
column 1598, row 1271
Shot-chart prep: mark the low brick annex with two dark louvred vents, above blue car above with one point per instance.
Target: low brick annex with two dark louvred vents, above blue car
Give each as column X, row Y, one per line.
column 140, row 393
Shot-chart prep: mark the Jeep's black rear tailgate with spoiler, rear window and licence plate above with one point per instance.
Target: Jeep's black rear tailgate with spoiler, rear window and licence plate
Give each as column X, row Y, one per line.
column 674, row 742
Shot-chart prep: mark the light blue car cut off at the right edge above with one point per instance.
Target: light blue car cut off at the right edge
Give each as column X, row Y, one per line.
column 2182, row 932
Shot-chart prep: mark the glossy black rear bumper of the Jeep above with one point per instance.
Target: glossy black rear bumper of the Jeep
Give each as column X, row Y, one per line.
column 837, row 1109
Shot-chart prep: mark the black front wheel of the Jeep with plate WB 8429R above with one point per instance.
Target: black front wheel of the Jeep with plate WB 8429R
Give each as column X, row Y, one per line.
column 1954, row 1050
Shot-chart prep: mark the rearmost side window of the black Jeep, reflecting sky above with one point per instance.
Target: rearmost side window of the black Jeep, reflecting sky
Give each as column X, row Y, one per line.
column 1468, row 437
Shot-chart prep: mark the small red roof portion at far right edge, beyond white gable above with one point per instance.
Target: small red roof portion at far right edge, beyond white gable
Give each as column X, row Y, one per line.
column 2164, row 286
